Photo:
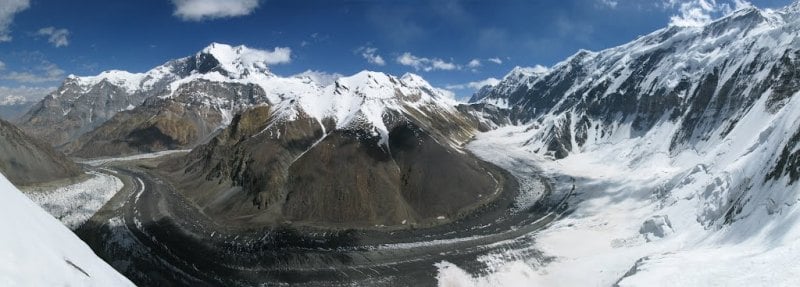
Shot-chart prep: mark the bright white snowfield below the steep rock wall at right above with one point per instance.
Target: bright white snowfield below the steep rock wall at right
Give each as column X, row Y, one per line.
column 604, row 238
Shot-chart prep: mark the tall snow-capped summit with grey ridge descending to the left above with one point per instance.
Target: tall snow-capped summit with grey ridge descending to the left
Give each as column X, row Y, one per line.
column 82, row 104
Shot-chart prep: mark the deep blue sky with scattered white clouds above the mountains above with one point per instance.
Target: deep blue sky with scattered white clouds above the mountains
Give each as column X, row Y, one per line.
column 449, row 42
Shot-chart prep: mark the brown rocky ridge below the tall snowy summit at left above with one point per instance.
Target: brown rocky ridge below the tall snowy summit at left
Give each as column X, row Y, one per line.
column 191, row 117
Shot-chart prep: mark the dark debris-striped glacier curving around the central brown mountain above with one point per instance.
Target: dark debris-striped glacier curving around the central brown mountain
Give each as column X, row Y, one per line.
column 154, row 236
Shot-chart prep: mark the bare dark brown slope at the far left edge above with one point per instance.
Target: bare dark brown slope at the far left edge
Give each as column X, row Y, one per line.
column 25, row 161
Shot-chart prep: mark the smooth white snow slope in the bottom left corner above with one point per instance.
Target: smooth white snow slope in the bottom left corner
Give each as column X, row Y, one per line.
column 37, row 250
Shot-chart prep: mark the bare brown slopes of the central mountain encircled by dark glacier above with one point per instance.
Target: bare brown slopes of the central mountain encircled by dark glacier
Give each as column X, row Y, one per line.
column 264, row 170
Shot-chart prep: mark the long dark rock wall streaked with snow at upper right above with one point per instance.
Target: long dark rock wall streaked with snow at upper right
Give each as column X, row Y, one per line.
column 664, row 59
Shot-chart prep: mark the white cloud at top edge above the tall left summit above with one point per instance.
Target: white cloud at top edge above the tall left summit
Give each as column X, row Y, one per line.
column 199, row 10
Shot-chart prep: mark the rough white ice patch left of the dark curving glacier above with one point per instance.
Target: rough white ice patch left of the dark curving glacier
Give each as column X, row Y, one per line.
column 75, row 204
